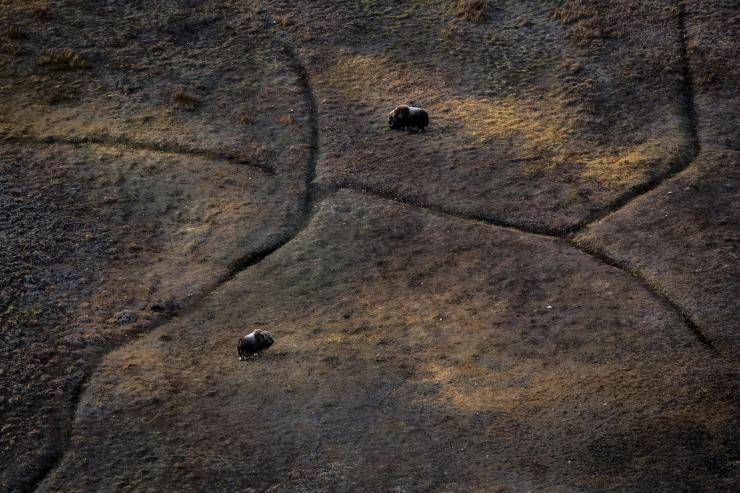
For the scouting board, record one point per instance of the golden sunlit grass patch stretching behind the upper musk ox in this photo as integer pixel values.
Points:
(535, 131)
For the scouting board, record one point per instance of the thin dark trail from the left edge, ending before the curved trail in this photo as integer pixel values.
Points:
(122, 142)
